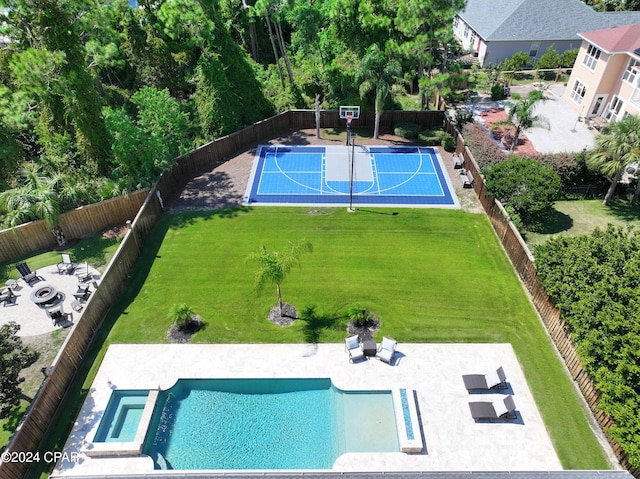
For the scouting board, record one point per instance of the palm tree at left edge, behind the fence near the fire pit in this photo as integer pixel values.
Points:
(39, 197)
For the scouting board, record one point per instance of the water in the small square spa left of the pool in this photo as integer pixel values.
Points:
(122, 416)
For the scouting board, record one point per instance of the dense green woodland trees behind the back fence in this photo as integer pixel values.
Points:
(104, 96)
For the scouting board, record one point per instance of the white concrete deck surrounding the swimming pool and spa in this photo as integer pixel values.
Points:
(453, 440)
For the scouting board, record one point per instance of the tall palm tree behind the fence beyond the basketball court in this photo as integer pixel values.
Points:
(378, 73)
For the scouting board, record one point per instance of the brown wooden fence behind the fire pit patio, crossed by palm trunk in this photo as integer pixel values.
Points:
(79, 223)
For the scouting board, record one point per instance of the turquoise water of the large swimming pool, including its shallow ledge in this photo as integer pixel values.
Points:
(266, 424)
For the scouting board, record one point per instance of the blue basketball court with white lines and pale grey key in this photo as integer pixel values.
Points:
(340, 175)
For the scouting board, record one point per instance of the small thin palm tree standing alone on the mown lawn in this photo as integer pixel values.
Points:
(274, 266)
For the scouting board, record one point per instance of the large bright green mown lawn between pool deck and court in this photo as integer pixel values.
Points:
(429, 275)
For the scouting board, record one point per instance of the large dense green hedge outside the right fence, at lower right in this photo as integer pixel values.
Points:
(595, 282)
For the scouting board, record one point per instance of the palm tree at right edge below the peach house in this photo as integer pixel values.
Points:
(617, 147)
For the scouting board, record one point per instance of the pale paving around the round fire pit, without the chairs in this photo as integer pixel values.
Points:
(33, 319)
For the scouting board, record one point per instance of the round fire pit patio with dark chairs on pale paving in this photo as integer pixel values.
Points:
(49, 298)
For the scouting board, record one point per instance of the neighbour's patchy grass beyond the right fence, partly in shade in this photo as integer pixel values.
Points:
(573, 218)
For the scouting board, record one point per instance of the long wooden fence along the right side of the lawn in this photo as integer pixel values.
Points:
(523, 262)
